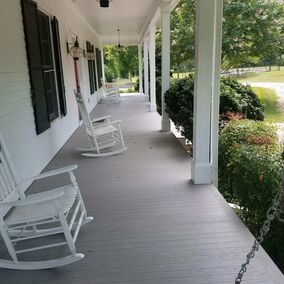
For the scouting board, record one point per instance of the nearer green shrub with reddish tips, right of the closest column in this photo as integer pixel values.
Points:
(245, 145)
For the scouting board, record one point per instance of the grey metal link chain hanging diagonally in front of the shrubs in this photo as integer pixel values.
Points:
(273, 212)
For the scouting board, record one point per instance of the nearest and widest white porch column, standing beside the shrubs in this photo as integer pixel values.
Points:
(207, 91)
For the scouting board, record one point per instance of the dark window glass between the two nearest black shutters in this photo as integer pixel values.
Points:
(48, 65)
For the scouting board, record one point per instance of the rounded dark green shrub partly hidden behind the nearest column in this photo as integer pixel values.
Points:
(234, 98)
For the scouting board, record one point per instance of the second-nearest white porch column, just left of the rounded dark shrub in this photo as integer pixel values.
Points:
(165, 18)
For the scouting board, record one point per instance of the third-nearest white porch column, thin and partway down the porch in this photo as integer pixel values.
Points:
(152, 53)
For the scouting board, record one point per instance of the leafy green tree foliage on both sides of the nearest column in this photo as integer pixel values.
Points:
(253, 32)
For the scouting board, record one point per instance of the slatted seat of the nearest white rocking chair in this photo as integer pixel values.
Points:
(44, 210)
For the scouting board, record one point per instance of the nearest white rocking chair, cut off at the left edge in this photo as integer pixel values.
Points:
(28, 223)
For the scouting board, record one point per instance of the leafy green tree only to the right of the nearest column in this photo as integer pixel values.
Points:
(251, 29)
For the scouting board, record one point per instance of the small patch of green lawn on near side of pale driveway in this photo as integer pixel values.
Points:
(269, 98)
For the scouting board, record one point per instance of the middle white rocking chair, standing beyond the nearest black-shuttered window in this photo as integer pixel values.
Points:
(105, 138)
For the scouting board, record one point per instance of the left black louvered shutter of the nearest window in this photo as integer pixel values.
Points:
(30, 21)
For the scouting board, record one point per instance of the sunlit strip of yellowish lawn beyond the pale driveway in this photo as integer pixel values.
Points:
(269, 77)
